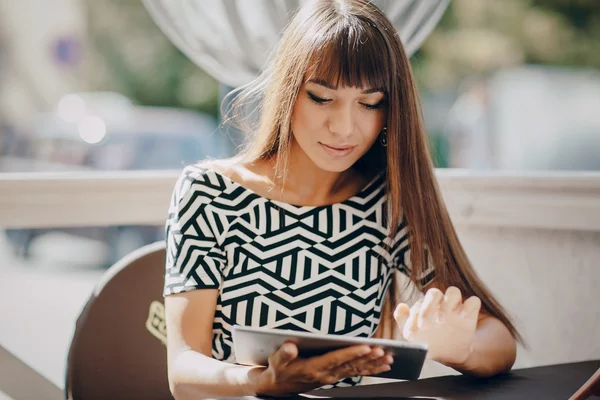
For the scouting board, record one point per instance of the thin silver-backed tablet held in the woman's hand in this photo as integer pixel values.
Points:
(253, 346)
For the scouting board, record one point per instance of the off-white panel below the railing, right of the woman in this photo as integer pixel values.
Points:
(549, 280)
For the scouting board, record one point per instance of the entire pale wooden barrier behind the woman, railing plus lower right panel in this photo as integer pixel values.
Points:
(530, 236)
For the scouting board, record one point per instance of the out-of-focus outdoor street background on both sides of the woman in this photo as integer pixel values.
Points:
(94, 85)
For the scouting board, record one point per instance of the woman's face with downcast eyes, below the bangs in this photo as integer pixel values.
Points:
(335, 127)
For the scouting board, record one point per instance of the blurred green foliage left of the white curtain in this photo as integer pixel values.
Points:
(130, 55)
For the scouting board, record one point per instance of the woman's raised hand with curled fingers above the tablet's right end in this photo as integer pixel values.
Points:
(442, 321)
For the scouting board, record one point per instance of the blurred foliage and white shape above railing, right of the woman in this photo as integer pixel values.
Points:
(514, 85)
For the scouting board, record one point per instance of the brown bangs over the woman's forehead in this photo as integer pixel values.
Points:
(352, 54)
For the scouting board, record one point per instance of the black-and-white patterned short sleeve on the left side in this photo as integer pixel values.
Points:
(194, 258)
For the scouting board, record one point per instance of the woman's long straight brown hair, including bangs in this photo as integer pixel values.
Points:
(352, 43)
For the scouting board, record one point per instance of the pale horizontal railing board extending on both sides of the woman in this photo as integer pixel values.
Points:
(533, 200)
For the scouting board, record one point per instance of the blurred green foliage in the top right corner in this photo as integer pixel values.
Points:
(477, 37)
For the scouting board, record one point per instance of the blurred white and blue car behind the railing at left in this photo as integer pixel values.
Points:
(105, 132)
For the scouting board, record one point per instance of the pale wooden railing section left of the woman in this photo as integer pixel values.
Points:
(32, 200)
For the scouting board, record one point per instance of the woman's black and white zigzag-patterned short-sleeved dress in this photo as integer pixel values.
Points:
(318, 269)
